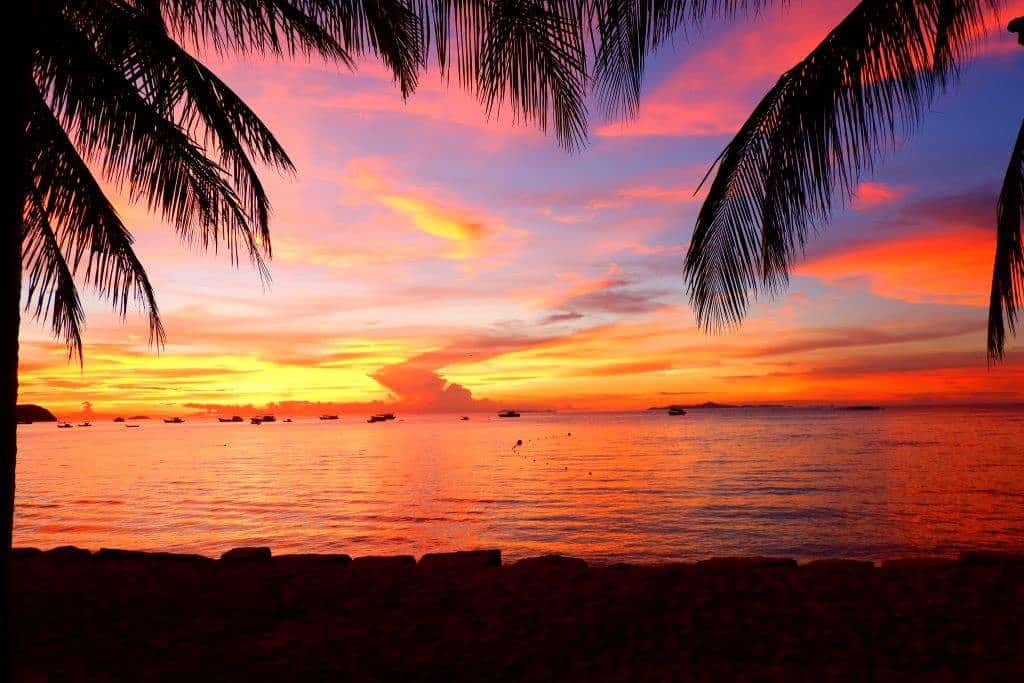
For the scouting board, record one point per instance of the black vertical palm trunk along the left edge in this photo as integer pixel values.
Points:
(22, 84)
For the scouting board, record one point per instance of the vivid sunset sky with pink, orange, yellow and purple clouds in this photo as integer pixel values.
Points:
(432, 260)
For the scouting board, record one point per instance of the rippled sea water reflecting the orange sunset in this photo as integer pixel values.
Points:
(638, 487)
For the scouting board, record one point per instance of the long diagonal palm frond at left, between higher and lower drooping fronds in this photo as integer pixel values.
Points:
(139, 149)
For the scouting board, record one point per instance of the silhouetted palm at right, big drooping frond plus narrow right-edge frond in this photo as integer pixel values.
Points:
(827, 122)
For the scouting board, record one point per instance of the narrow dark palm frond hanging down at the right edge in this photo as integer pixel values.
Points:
(1008, 275)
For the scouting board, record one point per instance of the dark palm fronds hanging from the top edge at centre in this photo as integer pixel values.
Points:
(576, 46)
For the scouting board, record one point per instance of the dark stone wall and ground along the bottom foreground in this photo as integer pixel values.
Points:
(123, 616)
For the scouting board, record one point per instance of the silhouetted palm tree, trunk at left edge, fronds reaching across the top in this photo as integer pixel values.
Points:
(107, 90)
